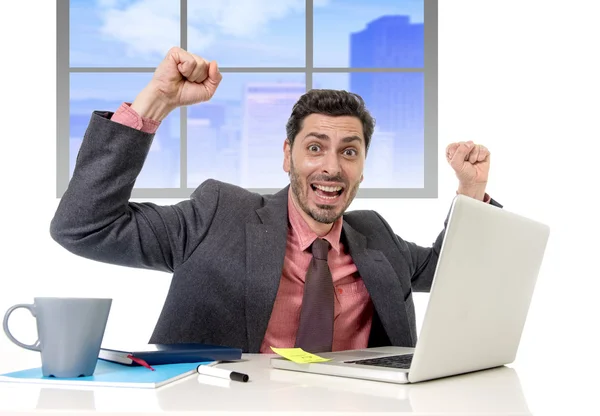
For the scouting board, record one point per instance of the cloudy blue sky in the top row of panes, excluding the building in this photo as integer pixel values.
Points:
(249, 33)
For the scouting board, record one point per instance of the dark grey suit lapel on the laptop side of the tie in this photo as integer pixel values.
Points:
(383, 286)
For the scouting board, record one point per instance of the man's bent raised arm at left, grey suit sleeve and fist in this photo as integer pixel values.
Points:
(95, 219)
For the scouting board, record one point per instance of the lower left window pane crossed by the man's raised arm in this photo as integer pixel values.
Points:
(90, 92)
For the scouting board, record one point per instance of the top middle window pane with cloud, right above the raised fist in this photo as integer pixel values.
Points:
(252, 33)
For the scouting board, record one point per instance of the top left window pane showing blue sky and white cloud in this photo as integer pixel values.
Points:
(122, 33)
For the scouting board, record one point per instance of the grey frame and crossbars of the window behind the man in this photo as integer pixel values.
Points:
(430, 123)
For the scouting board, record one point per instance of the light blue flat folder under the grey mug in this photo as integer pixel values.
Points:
(111, 375)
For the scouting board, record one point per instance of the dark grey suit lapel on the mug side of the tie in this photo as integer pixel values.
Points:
(265, 253)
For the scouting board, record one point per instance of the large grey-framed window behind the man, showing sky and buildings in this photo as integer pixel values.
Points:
(270, 52)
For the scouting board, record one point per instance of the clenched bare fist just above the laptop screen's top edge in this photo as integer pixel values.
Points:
(471, 163)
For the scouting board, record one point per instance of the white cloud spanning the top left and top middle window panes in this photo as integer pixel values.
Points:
(148, 28)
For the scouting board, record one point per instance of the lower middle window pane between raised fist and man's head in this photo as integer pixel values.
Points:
(238, 136)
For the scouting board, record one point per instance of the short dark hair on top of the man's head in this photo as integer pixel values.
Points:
(331, 103)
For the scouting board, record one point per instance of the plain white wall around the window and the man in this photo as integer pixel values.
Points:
(519, 76)
